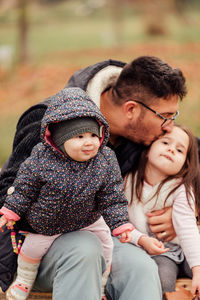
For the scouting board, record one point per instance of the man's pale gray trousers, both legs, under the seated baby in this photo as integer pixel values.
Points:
(73, 267)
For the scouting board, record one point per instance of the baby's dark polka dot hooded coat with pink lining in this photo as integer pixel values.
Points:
(57, 194)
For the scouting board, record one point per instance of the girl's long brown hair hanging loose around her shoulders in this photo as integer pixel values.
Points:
(189, 175)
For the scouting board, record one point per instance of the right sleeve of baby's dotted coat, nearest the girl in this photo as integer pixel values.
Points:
(111, 199)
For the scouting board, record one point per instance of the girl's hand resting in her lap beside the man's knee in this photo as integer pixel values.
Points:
(152, 245)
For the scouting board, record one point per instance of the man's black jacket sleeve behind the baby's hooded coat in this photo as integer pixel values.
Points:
(26, 137)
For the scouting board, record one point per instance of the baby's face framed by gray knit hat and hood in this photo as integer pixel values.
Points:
(82, 147)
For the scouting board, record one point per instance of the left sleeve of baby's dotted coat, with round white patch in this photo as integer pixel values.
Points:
(27, 184)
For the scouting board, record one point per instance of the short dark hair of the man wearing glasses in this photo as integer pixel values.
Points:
(146, 78)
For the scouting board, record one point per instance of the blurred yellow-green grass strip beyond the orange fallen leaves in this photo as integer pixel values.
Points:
(61, 28)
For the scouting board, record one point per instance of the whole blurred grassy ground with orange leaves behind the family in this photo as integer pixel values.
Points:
(62, 40)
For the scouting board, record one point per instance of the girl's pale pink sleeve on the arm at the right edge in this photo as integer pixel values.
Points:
(185, 225)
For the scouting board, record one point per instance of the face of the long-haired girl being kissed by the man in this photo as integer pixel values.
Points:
(167, 155)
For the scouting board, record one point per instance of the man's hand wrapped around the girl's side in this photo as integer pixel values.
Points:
(160, 222)
